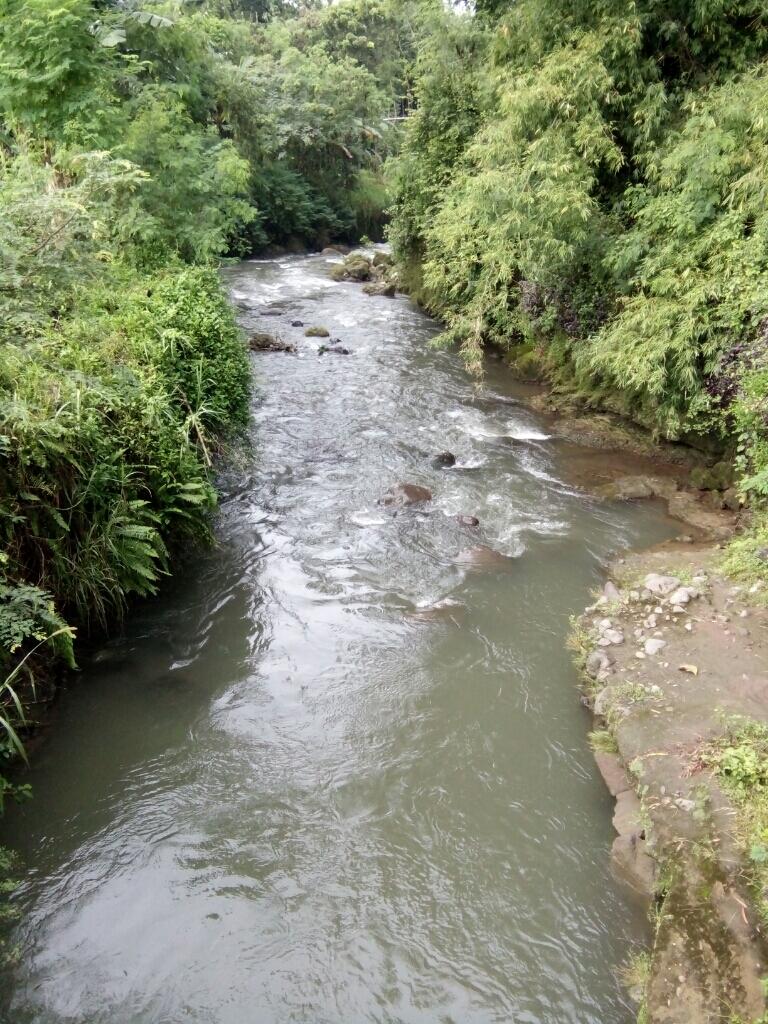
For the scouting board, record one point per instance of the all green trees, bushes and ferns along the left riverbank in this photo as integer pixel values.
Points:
(139, 145)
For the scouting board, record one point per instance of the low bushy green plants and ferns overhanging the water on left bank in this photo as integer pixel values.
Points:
(108, 423)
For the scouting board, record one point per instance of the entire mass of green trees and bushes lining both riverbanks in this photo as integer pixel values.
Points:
(582, 183)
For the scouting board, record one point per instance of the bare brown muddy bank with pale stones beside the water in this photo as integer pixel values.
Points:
(672, 654)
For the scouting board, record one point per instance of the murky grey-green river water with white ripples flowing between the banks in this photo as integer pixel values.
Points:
(339, 772)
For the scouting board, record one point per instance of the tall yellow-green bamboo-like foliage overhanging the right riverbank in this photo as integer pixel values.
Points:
(585, 184)
